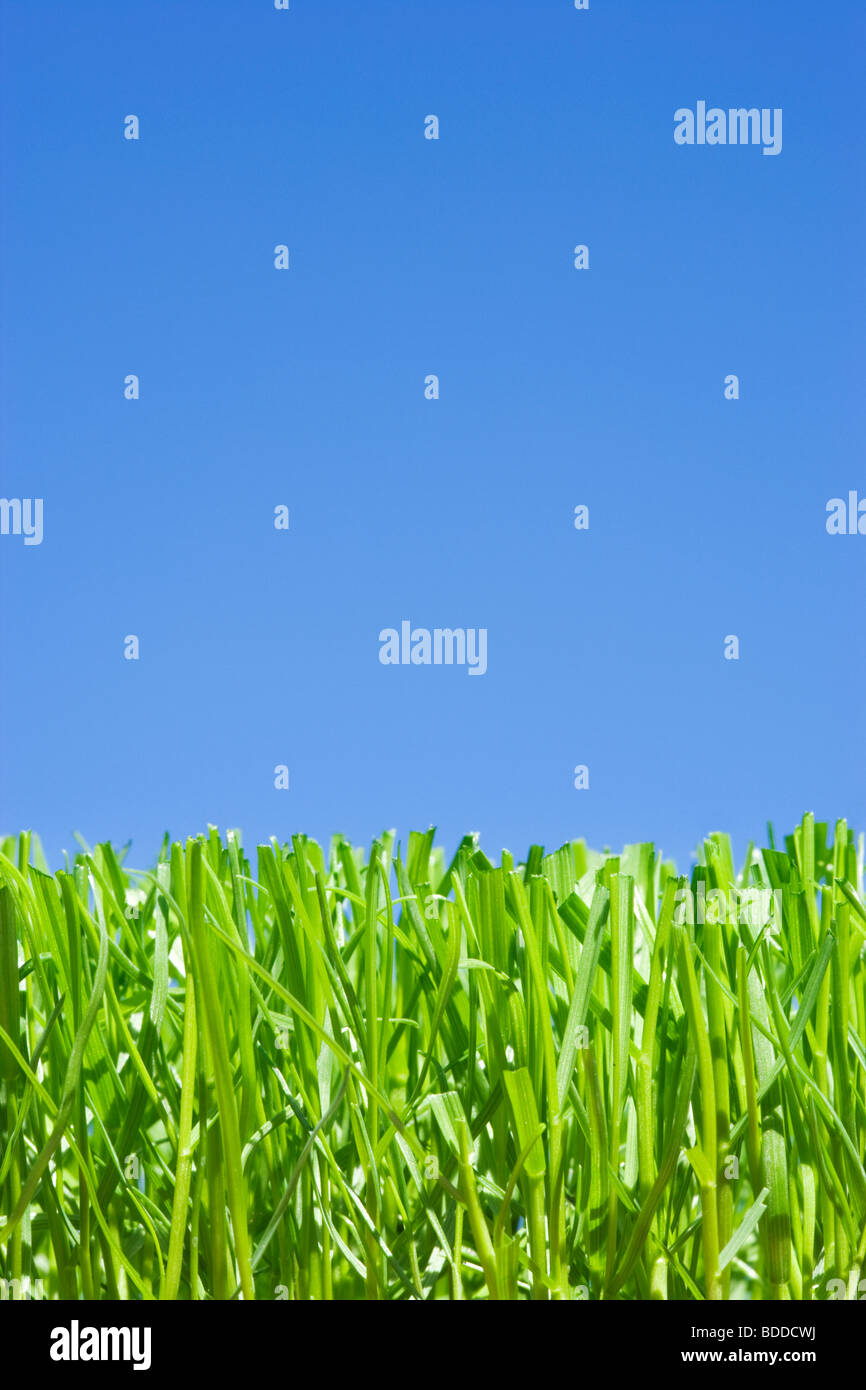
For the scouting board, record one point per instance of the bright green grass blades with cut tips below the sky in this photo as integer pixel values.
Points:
(386, 1077)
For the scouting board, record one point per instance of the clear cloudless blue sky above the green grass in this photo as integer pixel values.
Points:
(308, 389)
